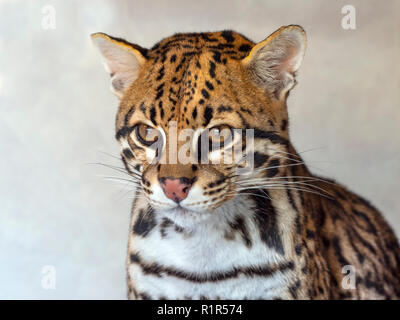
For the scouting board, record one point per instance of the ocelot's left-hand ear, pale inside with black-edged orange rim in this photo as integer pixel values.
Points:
(122, 60)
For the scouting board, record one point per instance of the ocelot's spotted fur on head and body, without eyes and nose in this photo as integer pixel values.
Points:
(278, 233)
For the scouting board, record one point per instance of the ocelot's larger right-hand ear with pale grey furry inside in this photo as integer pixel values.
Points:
(274, 61)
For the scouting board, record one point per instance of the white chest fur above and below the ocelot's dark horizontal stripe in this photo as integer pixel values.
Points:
(202, 249)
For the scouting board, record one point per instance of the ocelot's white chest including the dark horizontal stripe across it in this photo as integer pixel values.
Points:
(208, 261)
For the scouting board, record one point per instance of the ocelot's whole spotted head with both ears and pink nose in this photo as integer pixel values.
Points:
(202, 116)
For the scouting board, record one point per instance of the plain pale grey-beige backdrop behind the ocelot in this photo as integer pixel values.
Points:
(57, 119)
